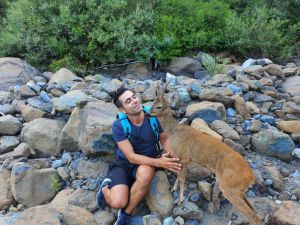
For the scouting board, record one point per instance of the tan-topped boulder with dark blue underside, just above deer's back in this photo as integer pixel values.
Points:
(208, 111)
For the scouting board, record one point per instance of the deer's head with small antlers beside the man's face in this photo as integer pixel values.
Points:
(160, 104)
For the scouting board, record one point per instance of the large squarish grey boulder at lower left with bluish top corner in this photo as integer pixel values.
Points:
(23, 176)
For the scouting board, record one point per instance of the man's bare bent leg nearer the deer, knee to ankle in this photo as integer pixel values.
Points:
(140, 187)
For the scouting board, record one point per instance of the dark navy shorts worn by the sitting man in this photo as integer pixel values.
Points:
(122, 172)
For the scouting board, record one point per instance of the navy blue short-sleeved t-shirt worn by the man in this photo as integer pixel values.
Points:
(143, 139)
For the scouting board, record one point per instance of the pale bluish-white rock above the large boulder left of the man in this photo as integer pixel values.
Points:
(66, 103)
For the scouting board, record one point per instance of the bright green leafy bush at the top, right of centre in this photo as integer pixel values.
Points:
(189, 25)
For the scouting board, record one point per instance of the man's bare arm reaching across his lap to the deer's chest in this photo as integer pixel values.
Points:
(164, 161)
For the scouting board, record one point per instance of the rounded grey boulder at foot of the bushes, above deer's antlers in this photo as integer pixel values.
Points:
(184, 66)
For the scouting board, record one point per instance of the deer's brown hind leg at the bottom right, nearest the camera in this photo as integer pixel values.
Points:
(239, 201)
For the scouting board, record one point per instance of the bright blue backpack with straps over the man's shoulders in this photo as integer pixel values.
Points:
(127, 127)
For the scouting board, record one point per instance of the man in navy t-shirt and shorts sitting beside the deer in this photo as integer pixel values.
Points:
(133, 169)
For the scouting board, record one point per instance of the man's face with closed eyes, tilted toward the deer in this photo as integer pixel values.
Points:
(131, 104)
